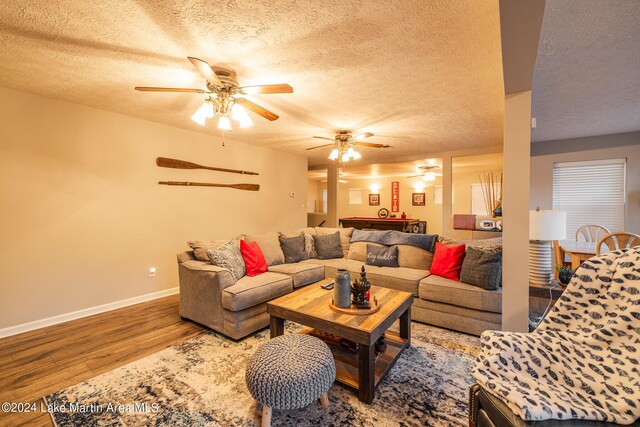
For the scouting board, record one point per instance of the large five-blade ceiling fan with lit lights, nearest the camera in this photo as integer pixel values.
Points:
(225, 96)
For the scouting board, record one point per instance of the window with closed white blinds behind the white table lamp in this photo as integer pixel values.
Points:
(591, 192)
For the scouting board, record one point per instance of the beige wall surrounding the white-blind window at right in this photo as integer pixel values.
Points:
(617, 146)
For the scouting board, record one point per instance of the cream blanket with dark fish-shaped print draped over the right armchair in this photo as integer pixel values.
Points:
(583, 361)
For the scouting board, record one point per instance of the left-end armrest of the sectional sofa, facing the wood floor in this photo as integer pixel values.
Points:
(201, 286)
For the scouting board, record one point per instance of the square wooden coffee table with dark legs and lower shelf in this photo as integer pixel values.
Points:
(363, 370)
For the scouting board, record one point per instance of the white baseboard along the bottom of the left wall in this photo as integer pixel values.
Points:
(37, 324)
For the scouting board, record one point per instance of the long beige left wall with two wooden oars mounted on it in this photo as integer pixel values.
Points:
(83, 218)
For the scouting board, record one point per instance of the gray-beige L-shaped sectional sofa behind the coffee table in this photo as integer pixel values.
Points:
(210, 296)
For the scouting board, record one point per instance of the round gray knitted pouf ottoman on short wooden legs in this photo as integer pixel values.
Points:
(290, 372)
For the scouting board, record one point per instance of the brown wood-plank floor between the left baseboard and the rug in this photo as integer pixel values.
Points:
(46, 360)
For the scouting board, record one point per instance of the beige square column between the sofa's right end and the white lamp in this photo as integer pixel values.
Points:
(515, 254)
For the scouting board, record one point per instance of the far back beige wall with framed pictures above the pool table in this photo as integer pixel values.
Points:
(431, 212)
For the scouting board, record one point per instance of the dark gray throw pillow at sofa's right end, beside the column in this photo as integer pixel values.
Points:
(482, 267)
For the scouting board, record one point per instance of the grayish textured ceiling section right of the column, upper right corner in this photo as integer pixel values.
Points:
(587, 76)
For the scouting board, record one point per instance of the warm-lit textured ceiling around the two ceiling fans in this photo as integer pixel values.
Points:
(424, 76)
